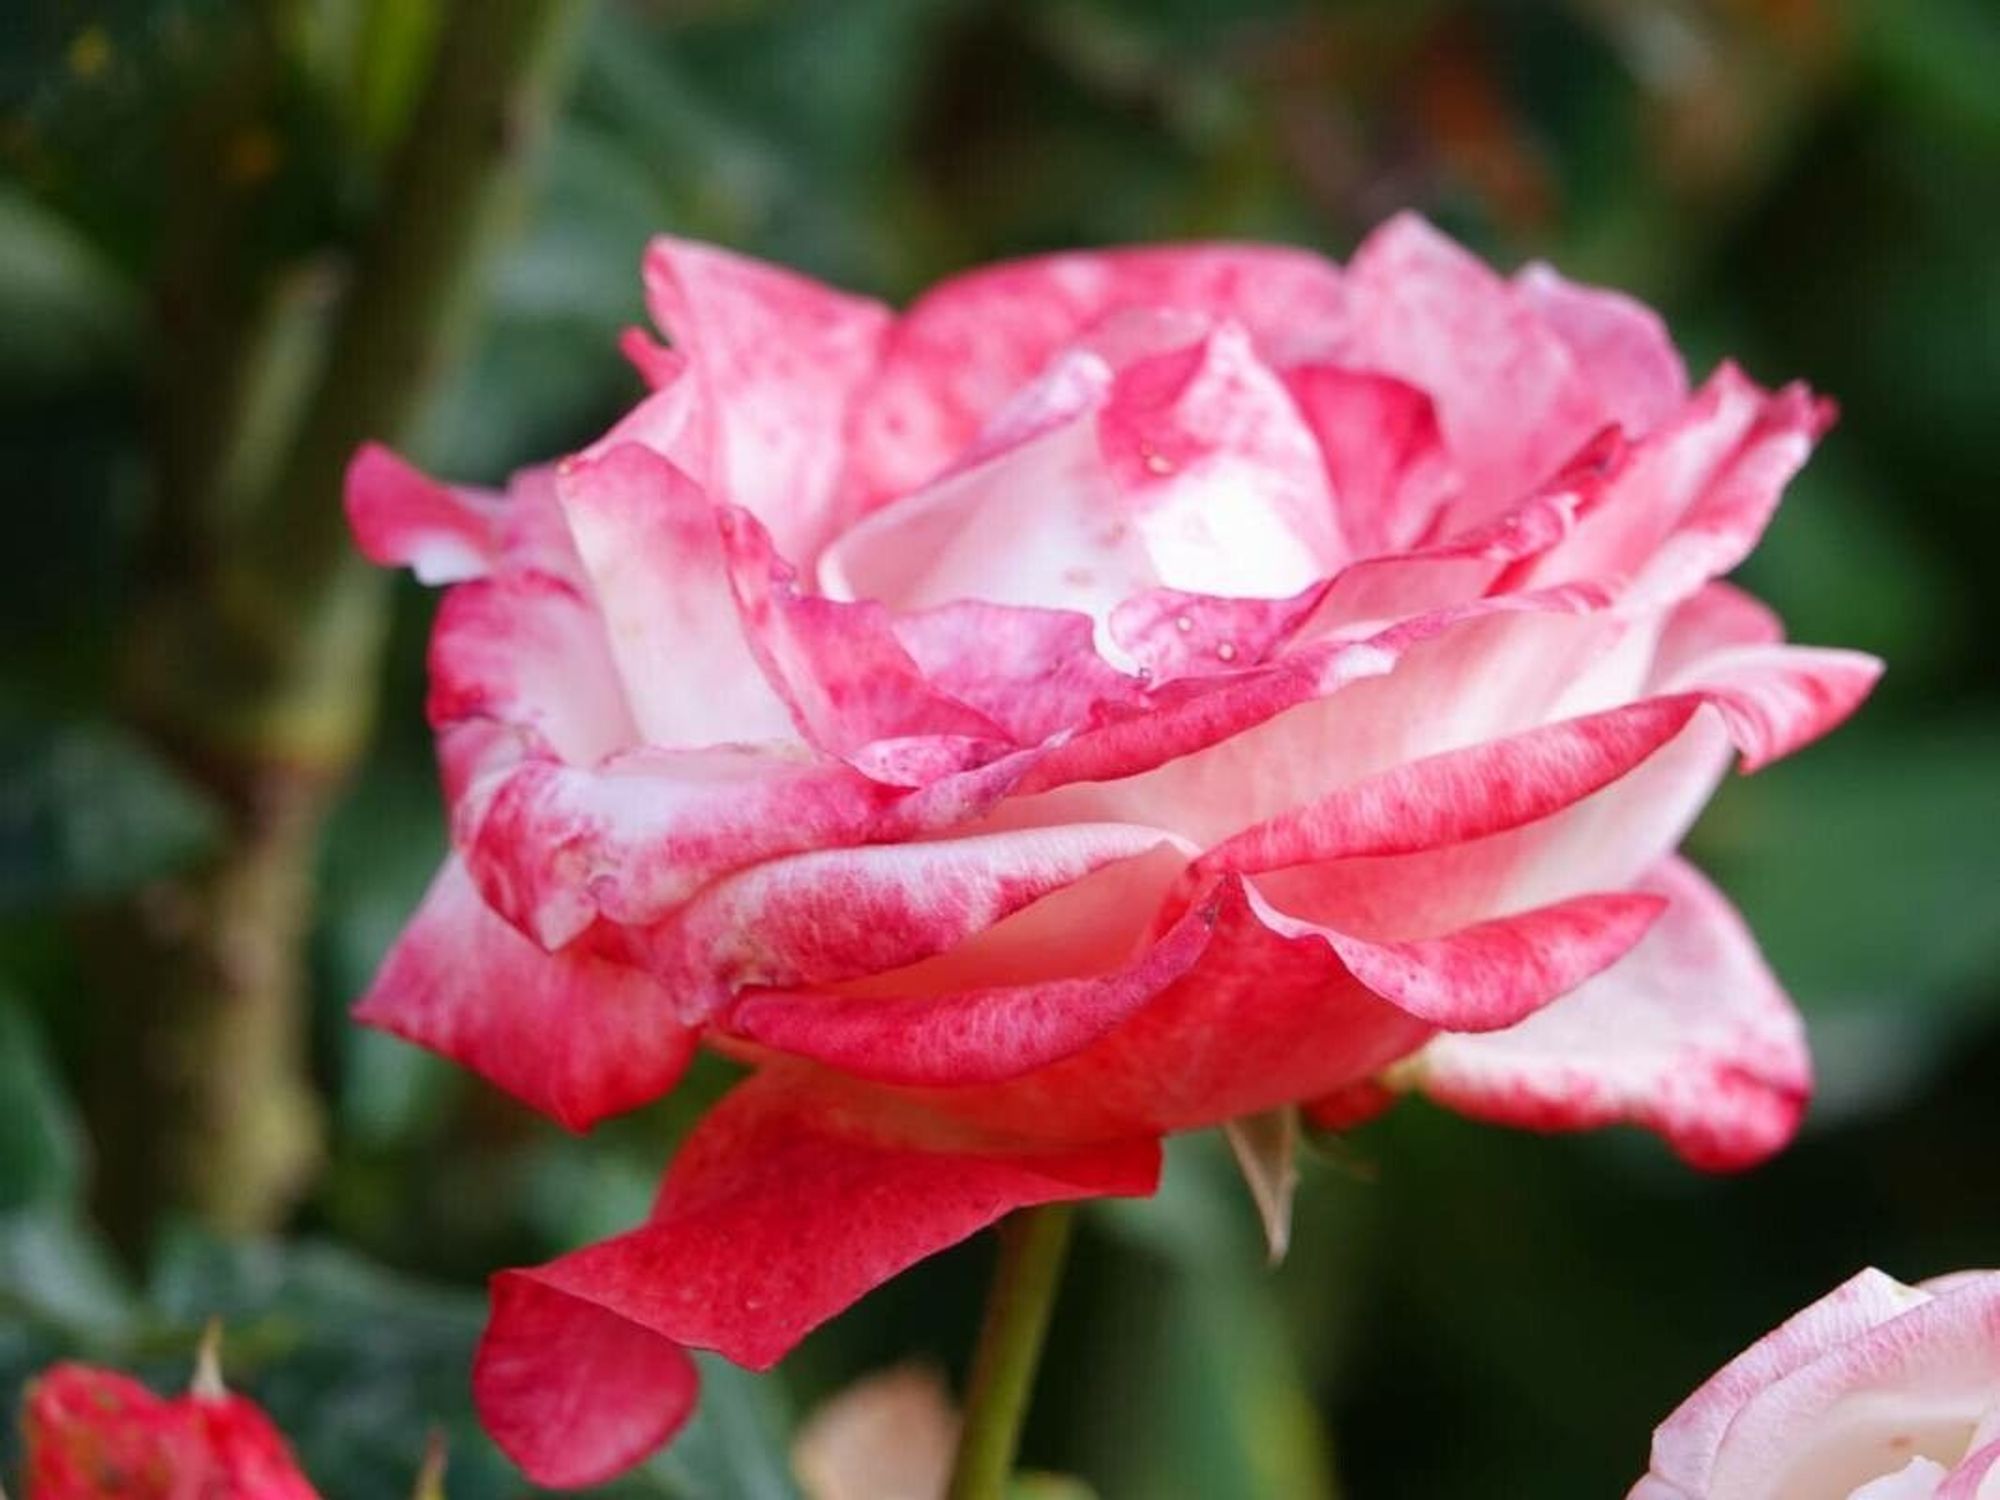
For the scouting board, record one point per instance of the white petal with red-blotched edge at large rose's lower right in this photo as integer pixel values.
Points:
(1689, 1037)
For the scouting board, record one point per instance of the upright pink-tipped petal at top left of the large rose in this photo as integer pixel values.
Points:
(779, 361)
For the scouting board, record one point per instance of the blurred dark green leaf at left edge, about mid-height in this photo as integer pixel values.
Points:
(89, 811)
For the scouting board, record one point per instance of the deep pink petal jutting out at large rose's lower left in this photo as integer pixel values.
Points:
(565, 1033)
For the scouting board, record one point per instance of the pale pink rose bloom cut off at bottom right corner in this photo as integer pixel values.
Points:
(1879, 1391)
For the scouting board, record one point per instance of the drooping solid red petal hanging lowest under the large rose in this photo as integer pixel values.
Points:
(779, 1213)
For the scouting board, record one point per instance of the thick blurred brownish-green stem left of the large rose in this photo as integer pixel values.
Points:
(251, 663)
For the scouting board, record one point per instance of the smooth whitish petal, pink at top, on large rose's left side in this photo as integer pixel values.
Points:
(653, 547)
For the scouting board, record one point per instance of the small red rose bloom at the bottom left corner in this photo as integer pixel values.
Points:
(97, 1433)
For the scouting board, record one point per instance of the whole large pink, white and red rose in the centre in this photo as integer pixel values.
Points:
(1125, 693)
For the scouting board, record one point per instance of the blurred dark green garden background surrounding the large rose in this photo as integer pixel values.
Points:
(235, 239)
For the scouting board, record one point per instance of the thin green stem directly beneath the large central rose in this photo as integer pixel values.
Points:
(1033, 1249)
